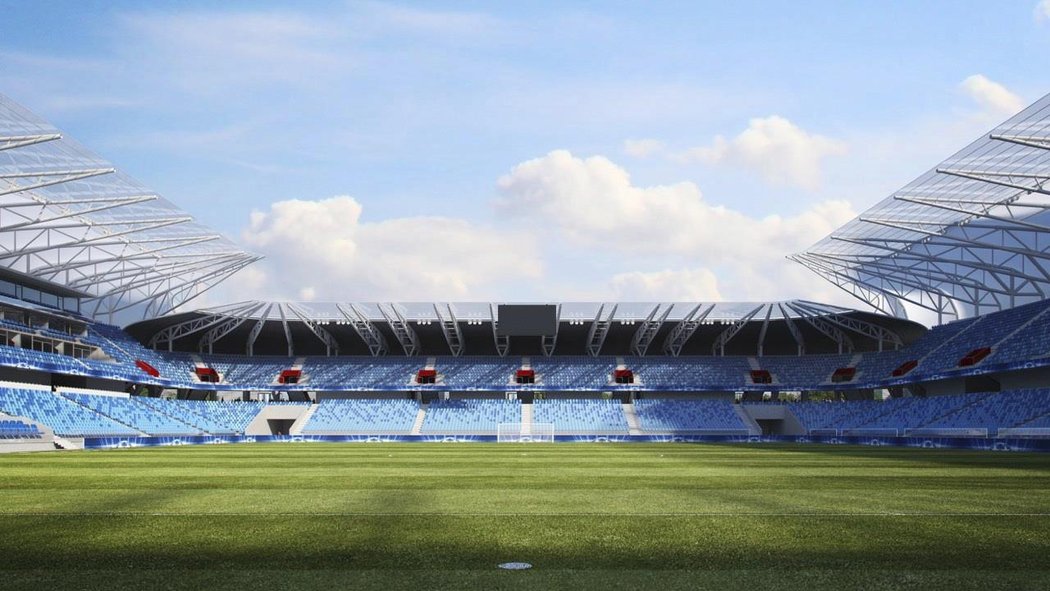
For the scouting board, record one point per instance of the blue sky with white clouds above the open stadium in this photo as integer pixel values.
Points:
(531, 152)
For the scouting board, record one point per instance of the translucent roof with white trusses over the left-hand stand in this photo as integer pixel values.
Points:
(70, 218)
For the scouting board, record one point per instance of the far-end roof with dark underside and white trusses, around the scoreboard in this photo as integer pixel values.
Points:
(780, 328)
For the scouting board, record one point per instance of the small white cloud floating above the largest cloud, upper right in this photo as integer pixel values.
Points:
(783, 153)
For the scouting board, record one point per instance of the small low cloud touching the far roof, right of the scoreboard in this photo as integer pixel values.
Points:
(685, 285)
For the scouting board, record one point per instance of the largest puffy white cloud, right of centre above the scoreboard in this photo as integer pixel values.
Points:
(592, 204)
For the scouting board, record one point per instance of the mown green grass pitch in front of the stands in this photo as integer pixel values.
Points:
(367, 517)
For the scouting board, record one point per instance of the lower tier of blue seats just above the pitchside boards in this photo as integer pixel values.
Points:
(94, 415)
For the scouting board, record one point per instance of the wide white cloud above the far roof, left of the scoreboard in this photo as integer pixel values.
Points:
(323, 250)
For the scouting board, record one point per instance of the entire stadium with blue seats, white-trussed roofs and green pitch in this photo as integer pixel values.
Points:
(900, 444)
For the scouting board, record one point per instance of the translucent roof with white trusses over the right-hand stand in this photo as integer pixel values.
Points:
(971, 237)
